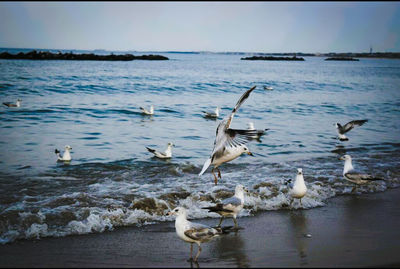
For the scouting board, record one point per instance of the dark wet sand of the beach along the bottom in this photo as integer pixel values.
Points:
(350, 231)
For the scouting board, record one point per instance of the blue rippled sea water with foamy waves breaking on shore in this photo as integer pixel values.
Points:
(113, 180)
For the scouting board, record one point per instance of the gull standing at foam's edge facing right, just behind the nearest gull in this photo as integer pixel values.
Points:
(231, 206)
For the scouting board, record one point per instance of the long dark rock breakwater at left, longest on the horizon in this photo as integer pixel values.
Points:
(46, 55)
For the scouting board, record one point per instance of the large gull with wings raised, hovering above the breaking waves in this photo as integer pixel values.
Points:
(229, 143)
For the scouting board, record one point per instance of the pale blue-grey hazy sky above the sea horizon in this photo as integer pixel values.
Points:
(268, 27)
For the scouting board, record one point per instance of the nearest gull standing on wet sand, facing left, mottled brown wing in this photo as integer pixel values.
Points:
(192, 232)
